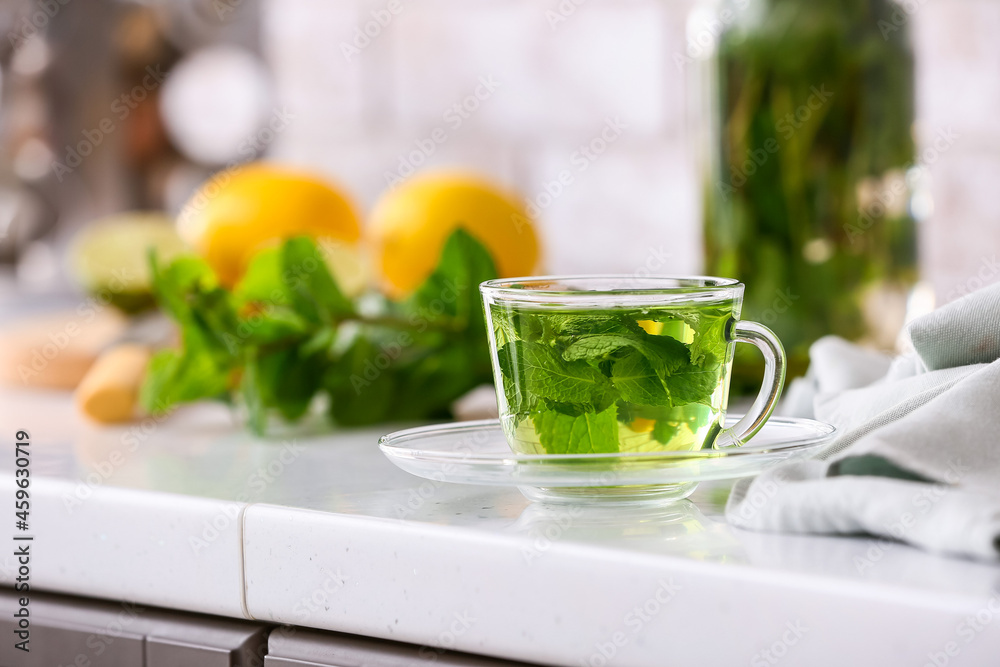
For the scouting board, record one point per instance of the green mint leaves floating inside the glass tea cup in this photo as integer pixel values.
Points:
(577, 376)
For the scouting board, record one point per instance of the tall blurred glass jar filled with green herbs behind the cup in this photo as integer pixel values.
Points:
(809, 176)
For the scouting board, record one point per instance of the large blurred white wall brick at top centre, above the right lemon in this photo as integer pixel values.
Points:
(553, 80)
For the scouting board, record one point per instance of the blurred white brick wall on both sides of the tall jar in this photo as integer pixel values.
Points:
(560, 77)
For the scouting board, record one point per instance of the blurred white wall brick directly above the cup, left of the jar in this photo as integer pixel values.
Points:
(630, 204)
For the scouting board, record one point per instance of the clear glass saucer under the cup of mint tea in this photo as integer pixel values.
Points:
(477, 453)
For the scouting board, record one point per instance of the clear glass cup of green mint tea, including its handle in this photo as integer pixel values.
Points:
(607, 364)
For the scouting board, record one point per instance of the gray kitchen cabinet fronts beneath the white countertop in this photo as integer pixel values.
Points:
(67, 631)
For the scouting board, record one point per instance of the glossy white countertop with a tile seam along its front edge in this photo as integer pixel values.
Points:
(322, 531)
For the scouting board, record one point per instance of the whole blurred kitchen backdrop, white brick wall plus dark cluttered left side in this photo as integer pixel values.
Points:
(115, 105)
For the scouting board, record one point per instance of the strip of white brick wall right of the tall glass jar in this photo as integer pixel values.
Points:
(959, 89)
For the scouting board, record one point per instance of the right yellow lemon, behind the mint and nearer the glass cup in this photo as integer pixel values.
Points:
(410, 225)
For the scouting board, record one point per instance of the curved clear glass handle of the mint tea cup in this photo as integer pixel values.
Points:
(770, 391)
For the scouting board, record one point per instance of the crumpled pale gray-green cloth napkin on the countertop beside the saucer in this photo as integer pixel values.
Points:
(917, 451)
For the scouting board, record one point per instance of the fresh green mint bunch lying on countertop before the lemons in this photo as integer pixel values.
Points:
(287, 333)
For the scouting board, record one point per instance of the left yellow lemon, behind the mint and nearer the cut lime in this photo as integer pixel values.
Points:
(239, 212)
